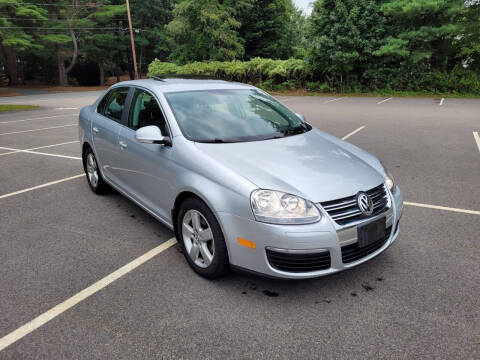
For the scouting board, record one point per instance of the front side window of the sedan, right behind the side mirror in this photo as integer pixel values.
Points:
(145, 111)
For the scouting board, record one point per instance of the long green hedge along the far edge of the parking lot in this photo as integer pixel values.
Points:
(297, 74)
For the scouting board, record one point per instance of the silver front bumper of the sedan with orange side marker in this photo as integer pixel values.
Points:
(313, 239)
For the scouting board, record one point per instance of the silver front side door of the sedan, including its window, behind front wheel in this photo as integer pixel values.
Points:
(146, 168)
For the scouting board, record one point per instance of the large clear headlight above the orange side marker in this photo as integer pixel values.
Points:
(276, 207)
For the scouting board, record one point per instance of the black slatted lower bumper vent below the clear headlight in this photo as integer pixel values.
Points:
(294, 262)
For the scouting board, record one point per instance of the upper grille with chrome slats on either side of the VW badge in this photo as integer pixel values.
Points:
(346, 210)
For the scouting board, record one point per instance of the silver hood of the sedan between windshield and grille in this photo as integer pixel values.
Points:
(312, 165)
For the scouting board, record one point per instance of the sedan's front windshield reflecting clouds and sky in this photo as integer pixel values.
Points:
(219, 116)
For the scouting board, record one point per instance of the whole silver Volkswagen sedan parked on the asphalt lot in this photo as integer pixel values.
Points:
(243, 181)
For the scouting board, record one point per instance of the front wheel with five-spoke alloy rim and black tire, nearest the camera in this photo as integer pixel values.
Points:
(202, 239)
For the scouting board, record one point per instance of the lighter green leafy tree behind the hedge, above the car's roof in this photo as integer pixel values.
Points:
(204, 30)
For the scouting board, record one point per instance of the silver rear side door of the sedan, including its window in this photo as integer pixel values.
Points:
(106, 127)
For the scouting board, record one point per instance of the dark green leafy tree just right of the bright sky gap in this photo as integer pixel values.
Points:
(344, 36)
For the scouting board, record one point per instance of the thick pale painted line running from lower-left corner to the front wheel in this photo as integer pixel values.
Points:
(82, 295)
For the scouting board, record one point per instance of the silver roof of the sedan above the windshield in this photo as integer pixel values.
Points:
(187, 84)
